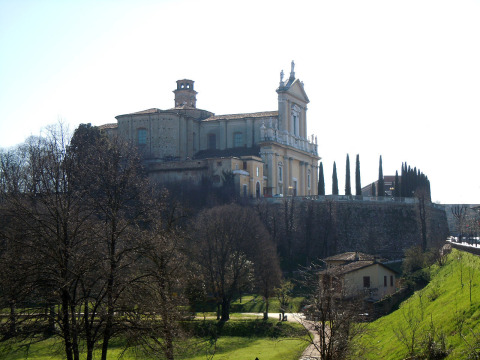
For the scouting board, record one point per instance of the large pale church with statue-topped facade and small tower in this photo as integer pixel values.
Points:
(269, 153)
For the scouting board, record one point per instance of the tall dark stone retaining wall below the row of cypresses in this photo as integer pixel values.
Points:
(325, 227)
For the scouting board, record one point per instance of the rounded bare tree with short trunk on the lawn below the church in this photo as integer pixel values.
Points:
(226, 243)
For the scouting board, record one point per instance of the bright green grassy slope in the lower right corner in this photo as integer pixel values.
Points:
(443, 315)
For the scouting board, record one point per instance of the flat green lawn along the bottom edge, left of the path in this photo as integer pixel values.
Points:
(237, 339)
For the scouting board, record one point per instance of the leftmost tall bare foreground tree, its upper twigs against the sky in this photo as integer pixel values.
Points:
(46, 211)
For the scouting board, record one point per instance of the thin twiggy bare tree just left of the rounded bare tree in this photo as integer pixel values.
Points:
(160, 294)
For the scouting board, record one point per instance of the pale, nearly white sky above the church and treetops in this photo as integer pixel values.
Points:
(397, 79)
